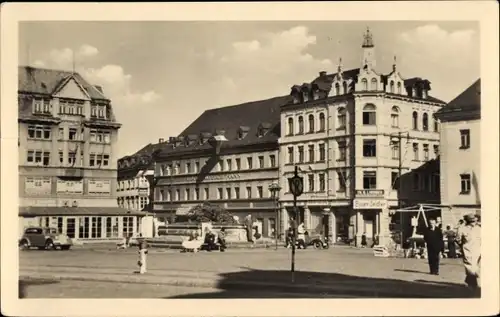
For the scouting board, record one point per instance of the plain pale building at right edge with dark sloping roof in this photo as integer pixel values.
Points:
(460, 156)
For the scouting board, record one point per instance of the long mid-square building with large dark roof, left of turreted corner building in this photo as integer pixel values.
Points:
(228, 156)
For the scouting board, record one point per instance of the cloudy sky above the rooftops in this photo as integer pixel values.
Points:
(160, 76)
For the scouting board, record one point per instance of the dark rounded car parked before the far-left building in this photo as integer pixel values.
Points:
(44, 239)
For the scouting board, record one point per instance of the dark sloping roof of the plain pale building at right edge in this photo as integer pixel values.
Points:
(465, 105)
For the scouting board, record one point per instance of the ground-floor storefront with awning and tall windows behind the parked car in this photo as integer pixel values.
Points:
(91, 224)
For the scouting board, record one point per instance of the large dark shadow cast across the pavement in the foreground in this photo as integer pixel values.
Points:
(249, 284)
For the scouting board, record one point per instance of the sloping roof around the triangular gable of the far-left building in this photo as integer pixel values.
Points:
(43, 81)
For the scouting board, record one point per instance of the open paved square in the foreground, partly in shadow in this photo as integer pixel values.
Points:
(338, 272)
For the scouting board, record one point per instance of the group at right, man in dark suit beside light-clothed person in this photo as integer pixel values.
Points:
(468, 238)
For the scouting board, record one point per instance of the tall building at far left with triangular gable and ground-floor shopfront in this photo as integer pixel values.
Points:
(67, 164)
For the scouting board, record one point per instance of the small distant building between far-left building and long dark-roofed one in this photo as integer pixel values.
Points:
(135, 185)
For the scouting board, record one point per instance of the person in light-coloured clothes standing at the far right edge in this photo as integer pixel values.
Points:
(470, 240)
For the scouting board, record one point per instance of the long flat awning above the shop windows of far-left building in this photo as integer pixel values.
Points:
(77, 211)
